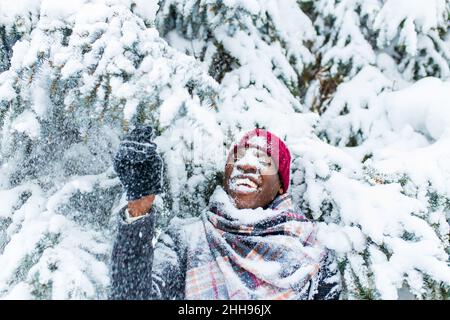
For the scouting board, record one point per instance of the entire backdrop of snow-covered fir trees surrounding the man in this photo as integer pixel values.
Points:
(359, 90)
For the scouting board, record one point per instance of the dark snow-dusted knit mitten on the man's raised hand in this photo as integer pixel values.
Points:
(138, 165)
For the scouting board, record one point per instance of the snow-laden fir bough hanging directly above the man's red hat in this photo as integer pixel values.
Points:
(257, 51)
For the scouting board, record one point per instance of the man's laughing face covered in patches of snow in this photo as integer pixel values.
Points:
(251, 178)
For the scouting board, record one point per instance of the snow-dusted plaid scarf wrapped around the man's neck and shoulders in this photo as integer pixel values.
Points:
(253, 253)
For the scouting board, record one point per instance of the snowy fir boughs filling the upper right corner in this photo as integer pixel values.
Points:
(406, 37)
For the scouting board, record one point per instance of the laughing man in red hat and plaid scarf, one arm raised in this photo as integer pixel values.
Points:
(248, 244)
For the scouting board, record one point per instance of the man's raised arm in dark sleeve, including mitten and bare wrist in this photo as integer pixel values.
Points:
(139, 168)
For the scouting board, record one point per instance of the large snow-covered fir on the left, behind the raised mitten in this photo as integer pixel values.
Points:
(76, 78)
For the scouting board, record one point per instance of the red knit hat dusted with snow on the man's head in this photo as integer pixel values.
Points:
(275, 147)
